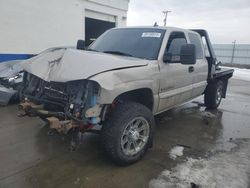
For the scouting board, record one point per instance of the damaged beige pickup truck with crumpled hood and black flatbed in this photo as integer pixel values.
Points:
(120, 82)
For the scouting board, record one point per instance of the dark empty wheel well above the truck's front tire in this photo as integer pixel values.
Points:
(143, 96)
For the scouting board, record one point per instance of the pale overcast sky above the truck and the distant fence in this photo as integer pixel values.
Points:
(225, 20)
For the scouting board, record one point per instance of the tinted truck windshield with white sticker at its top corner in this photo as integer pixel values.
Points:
(137, 42)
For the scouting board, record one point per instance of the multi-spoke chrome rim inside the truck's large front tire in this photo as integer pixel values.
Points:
(135, 136)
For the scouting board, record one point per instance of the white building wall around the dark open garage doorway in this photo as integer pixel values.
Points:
(30, 26)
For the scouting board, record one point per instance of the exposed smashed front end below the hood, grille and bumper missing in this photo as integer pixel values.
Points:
(63, 106)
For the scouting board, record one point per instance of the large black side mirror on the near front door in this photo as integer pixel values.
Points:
(188, 54)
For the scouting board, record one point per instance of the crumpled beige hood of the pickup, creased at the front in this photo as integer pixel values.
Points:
(62, 64)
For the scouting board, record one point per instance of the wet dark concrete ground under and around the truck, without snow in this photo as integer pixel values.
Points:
(30, 158)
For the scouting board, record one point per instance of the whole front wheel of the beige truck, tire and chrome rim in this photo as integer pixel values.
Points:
(127, 134)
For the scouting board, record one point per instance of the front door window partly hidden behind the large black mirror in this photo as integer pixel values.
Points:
(175, 41)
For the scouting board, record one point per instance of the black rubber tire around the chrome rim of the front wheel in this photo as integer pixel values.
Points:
(113, 128)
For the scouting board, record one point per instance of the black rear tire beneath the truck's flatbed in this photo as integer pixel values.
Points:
(211, 94)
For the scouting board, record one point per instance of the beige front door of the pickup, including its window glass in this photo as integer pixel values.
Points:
(176, 79)
